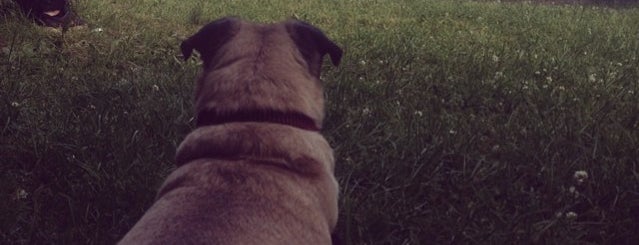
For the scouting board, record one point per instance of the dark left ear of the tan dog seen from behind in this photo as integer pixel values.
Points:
(209, 38)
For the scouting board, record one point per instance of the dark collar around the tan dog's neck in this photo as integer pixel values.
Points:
(293, 119)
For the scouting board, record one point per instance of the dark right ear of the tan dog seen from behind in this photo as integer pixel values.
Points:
(313, 44)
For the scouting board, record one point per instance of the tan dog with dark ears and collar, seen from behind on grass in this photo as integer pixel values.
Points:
(256, 170)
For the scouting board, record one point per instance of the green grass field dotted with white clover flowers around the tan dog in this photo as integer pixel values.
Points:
(452, 121)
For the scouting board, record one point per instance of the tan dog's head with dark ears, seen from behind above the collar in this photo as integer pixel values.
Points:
(263, 68)
